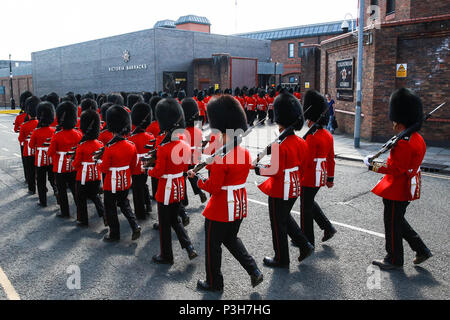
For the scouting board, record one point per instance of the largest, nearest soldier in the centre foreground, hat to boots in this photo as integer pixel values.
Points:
(227, 206)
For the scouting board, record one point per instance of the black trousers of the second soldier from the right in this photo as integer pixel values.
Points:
(309, 212)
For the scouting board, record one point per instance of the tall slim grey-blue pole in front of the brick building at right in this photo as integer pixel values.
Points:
(357, 129)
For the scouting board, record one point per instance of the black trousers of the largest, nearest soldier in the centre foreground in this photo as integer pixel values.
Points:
(216, 234)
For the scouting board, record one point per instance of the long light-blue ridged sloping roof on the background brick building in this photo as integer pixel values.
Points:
(304, 31)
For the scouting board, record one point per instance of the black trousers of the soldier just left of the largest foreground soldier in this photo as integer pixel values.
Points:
(168, 218)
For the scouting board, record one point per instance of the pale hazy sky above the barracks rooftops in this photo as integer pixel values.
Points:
(33, 25)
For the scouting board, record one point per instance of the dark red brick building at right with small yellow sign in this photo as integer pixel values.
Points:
(411, 34)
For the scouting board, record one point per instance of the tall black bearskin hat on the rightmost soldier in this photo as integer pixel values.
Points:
(405, 107)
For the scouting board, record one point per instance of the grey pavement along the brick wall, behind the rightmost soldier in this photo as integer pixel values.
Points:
(436, 159)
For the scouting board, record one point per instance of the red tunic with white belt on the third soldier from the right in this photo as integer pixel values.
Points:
(285, 169)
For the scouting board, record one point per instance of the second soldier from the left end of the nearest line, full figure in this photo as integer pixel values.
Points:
(40, 136)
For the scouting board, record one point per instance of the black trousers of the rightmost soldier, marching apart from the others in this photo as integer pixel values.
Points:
(396, 229)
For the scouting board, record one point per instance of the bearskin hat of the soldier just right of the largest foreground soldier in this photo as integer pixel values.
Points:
(286, 110)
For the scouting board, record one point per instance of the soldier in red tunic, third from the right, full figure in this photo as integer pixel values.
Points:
(283, 186)
